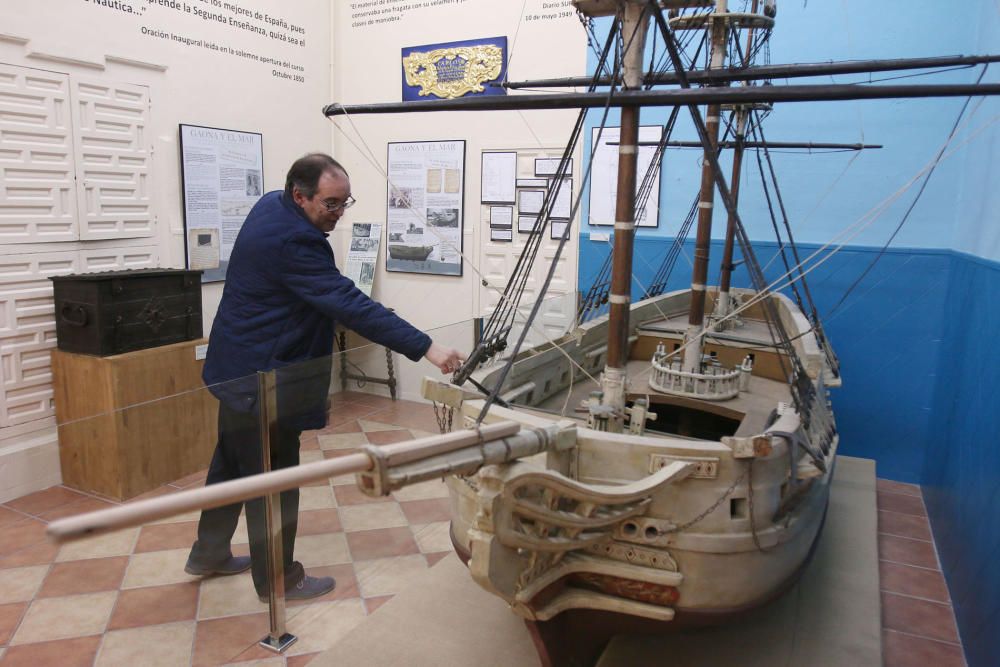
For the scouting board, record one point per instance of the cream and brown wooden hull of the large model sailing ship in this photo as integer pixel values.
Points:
(726, 532)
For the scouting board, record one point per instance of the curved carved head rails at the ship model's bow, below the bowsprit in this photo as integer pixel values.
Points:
(537, 531)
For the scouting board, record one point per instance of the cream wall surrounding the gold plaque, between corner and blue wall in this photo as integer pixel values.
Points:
(366, 63)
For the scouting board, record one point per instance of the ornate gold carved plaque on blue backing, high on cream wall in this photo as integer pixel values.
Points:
(453, 72)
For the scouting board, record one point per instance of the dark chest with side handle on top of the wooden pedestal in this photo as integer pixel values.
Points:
(121, 311)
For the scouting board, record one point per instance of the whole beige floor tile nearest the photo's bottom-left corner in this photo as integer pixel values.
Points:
(61, 618)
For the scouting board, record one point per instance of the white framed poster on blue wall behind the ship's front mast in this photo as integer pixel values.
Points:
(604, 176)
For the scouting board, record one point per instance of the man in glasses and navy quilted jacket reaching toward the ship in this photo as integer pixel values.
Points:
(283, 294)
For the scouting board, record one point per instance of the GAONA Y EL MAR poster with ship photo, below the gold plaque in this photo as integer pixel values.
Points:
(424, 214)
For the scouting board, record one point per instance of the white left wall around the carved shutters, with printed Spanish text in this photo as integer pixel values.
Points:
(93, 40)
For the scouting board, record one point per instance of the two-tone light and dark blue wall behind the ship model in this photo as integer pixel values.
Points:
(917, 338)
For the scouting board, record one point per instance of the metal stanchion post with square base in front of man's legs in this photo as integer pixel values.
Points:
(278, 639)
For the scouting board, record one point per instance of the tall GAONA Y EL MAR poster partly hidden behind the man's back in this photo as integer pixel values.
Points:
(222, 177)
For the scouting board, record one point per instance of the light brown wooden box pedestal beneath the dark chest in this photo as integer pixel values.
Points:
(130, 423)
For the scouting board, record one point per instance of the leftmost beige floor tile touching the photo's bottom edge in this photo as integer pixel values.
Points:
(151, 646)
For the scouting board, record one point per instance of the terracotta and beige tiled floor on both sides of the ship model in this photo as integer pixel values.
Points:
(124, 599)
